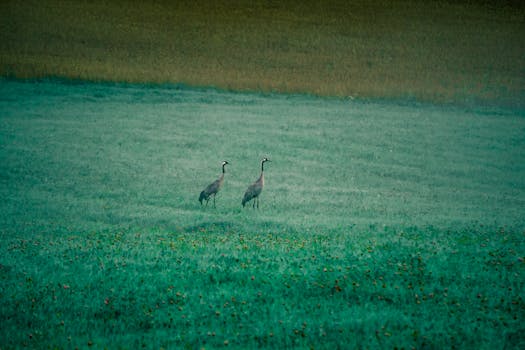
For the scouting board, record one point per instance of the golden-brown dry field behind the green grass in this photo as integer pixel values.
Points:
(441, 51)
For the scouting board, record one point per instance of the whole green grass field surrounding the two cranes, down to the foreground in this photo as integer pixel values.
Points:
(383, 224)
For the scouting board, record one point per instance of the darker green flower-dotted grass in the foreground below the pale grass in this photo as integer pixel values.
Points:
(415, 288)
